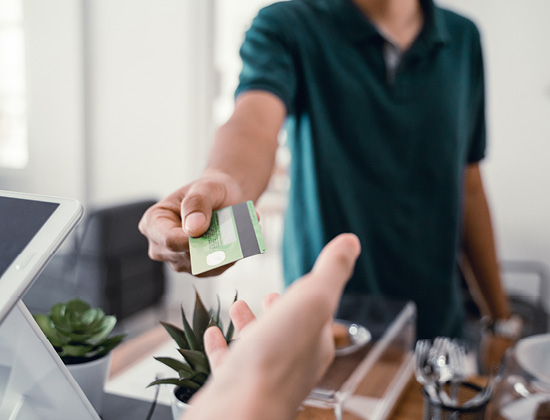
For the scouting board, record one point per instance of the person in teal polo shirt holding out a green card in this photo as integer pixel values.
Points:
(384, 109)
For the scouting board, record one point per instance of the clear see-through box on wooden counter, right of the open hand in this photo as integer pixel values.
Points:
(368, 381)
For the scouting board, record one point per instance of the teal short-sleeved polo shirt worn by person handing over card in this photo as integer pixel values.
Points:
(381, 157)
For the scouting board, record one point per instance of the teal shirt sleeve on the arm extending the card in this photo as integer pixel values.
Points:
(267, 60)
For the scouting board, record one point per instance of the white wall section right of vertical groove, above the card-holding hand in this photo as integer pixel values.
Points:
(148, 127)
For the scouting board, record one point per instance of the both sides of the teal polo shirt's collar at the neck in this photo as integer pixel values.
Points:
(360, 28)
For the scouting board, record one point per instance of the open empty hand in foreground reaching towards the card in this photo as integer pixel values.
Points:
(279, 358)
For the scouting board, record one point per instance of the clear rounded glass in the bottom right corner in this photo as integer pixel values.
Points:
(522, 390)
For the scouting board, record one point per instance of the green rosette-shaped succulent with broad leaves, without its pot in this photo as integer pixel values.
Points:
(79, 332)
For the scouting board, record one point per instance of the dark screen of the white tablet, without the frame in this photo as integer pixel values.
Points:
(21, 220)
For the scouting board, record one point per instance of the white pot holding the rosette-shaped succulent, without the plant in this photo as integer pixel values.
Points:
(91, 377)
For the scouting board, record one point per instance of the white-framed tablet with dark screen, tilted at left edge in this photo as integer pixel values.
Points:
(31, 229)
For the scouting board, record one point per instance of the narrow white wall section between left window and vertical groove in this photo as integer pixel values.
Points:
(55, 94)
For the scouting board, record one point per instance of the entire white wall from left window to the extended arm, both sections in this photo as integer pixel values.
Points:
(120, 97)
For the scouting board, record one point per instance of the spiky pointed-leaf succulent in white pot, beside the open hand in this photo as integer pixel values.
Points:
(193, 369)
